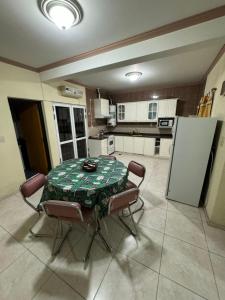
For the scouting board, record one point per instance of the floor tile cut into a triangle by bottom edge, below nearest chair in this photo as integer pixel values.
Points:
(56, 289)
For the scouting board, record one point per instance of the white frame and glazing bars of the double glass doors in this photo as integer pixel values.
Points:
(73, 129)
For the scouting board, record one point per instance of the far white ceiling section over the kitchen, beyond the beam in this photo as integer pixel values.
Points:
(186, 65)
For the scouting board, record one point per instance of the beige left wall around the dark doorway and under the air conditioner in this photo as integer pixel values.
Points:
(20, 83)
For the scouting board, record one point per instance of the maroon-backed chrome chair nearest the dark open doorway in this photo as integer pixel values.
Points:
(27, 189)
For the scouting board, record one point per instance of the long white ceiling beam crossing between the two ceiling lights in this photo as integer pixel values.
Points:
(148, 50)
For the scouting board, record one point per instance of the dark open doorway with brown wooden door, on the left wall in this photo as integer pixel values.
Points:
(30, 131)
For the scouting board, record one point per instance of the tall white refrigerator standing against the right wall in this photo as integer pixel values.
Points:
(192, 143)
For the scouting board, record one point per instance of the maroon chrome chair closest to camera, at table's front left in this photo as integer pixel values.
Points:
(71, 212)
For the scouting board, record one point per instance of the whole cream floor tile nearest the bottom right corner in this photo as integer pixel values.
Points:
(189, 266)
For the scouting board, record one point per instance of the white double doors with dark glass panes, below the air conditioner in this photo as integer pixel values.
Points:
(71, 131)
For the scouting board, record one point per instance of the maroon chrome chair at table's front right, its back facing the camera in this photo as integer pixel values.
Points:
(121, 201)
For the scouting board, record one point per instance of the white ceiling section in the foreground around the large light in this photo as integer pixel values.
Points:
(29, 38)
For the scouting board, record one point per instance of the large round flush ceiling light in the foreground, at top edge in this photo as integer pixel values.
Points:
(63, 13)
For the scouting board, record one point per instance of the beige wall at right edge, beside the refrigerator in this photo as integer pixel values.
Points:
(216, 194)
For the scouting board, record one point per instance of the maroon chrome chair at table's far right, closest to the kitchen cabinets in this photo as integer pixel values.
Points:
(138, 170)
